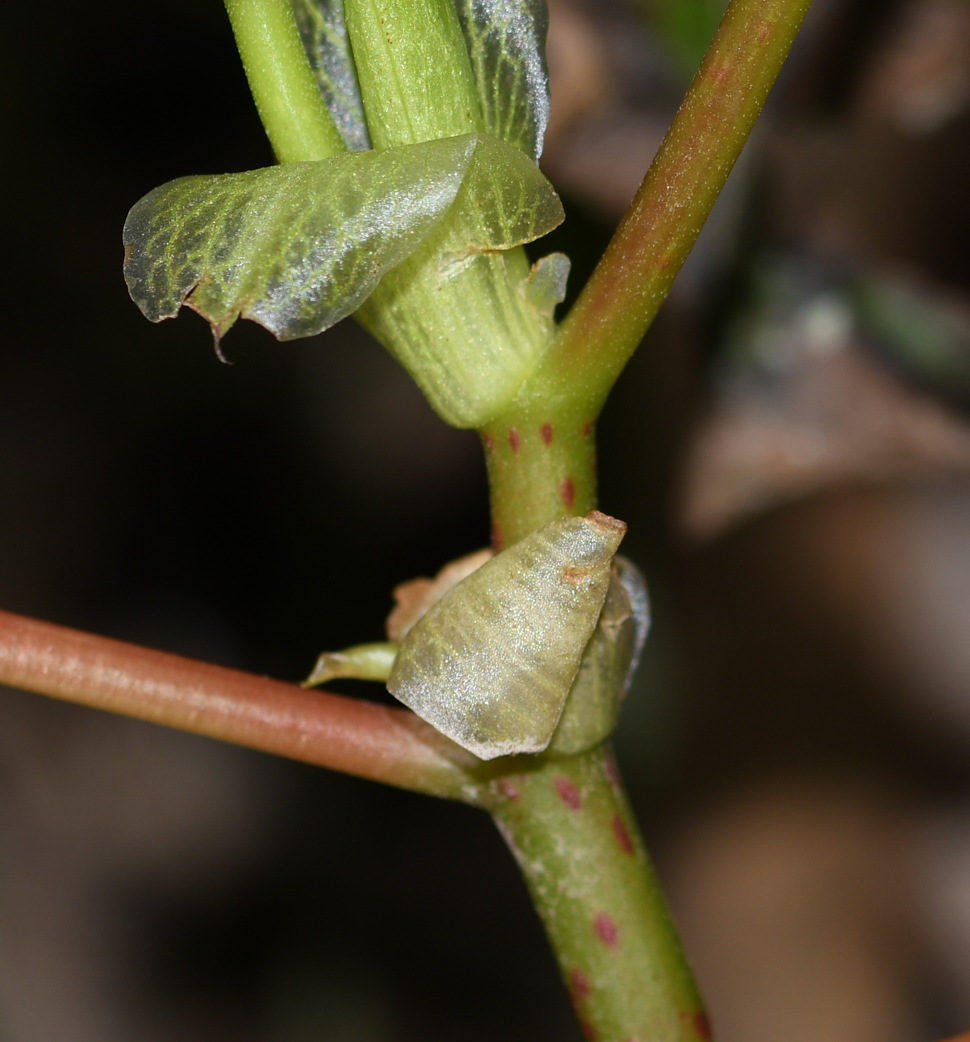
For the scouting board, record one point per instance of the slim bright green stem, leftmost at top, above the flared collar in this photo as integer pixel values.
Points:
(290, 104)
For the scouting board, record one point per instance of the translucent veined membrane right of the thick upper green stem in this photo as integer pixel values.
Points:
(507, 44)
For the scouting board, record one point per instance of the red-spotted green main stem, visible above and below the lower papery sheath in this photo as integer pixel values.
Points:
(567, 821)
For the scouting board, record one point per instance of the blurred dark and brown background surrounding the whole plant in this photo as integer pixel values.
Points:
(790, 448)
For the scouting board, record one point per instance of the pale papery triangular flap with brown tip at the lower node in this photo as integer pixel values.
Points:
(492, 663)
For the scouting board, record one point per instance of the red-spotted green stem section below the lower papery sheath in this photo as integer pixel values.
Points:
(571, 830)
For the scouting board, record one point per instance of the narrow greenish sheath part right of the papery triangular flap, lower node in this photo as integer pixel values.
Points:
(608, 666)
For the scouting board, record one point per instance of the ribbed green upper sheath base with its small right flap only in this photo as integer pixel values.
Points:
(453, 314)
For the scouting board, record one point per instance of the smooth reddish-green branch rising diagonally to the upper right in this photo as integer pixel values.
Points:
(653, 242)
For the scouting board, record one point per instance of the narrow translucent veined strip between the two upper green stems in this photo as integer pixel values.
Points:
(324, 31)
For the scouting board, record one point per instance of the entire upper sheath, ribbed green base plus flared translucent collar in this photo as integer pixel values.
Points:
(301, 246)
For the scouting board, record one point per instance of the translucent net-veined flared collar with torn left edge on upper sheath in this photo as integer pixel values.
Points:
(301, 246)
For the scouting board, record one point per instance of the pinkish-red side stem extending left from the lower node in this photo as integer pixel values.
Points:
(350, 735)
